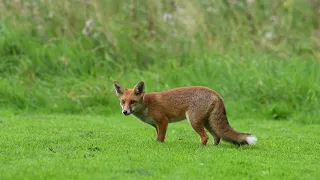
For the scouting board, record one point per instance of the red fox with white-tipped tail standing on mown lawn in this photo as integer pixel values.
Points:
(202, 107)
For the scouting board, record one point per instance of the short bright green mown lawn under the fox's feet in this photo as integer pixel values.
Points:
(118, 147)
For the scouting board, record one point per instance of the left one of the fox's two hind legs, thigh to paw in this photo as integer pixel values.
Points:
(197, 125)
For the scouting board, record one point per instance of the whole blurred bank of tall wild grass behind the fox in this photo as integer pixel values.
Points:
(61, 56)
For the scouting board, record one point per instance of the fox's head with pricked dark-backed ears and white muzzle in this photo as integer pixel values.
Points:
(130, 99)
